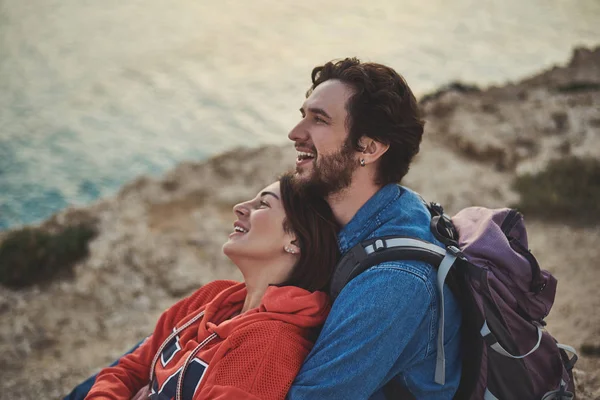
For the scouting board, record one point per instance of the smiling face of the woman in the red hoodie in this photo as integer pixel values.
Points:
(258, 232)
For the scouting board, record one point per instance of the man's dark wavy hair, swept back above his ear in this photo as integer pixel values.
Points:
(382, 107)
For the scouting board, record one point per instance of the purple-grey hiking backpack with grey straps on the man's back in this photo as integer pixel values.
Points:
(504, 297)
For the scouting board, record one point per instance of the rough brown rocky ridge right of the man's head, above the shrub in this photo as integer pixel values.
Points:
(554, 114)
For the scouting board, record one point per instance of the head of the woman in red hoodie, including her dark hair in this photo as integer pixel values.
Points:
(280, 217)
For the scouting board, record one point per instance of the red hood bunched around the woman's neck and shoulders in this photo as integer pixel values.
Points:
(288, 304)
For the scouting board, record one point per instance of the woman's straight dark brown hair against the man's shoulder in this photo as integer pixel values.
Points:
(315, 227)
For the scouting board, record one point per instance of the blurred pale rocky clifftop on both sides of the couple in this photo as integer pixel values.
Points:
(159, 239)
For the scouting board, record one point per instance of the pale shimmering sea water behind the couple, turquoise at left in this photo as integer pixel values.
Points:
(95, 93)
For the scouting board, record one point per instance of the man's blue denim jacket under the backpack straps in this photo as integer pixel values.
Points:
(384, 323)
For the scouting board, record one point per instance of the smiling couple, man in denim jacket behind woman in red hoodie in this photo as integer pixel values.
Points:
(277, 335)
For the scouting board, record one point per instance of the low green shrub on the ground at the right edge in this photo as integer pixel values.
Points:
(567, 190)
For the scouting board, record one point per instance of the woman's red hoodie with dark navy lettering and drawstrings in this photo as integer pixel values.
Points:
(255, 355)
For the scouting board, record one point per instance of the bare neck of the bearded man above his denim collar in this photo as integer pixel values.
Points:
(346, 203)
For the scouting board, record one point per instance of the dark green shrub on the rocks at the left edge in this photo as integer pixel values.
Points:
(32, 255)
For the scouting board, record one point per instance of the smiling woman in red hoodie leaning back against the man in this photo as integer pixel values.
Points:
(242, 340)
